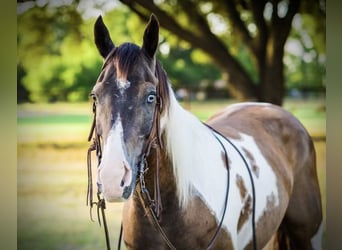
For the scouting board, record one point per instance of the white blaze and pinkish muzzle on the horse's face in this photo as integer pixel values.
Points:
(116, 177)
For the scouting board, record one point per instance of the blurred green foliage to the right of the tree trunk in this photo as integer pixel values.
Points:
(305, 67)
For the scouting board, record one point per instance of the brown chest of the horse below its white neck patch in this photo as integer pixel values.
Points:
(192, 228)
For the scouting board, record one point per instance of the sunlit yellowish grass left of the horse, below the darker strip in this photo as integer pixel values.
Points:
(52, 211)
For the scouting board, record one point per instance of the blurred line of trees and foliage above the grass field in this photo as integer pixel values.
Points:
(259, 49)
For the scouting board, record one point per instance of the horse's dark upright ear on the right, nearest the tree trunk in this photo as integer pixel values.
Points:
(151, 36)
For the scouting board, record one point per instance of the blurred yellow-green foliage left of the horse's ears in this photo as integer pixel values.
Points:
(57, 55)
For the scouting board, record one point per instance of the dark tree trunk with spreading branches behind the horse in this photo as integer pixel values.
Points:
(259, 27)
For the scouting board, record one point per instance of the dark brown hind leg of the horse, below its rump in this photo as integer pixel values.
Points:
(304, 213)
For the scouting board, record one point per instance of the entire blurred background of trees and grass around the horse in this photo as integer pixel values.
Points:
(214, 52)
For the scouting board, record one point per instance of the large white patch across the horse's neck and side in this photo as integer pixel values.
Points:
(199, 168)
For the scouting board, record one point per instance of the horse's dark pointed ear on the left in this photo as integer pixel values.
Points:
(103, 41)
